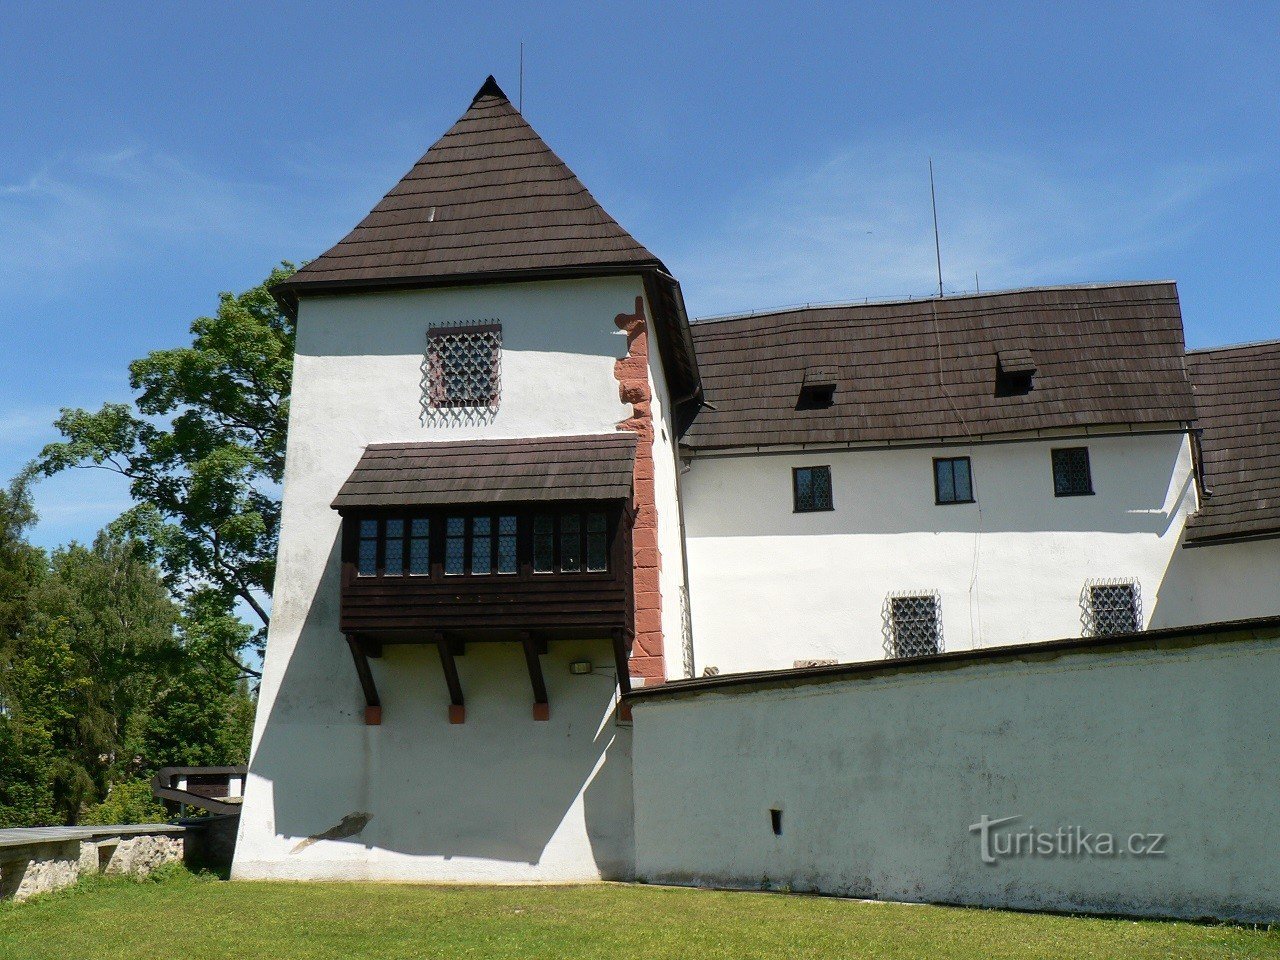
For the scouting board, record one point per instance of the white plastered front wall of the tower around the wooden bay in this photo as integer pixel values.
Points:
(500, 798)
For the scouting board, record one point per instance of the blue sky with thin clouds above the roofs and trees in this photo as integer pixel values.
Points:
(769, 154)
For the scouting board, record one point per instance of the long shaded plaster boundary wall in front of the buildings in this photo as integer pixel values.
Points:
(985, 778)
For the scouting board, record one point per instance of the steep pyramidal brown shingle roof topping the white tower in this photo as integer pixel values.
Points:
(490, 198)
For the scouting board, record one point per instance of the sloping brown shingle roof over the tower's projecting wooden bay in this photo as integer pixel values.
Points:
(596, 468)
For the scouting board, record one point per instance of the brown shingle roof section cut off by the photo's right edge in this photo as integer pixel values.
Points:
(1238, 399)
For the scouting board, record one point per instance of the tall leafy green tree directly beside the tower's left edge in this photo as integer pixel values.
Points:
(203, 447)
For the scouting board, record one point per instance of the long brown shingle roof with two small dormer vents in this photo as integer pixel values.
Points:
(926, 371)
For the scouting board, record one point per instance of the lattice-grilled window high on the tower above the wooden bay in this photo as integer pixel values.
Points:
(463, 374)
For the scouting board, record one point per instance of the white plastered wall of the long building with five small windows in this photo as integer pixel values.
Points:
(771, 587)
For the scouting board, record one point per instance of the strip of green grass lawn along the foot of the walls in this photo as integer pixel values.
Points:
(194, 918)
